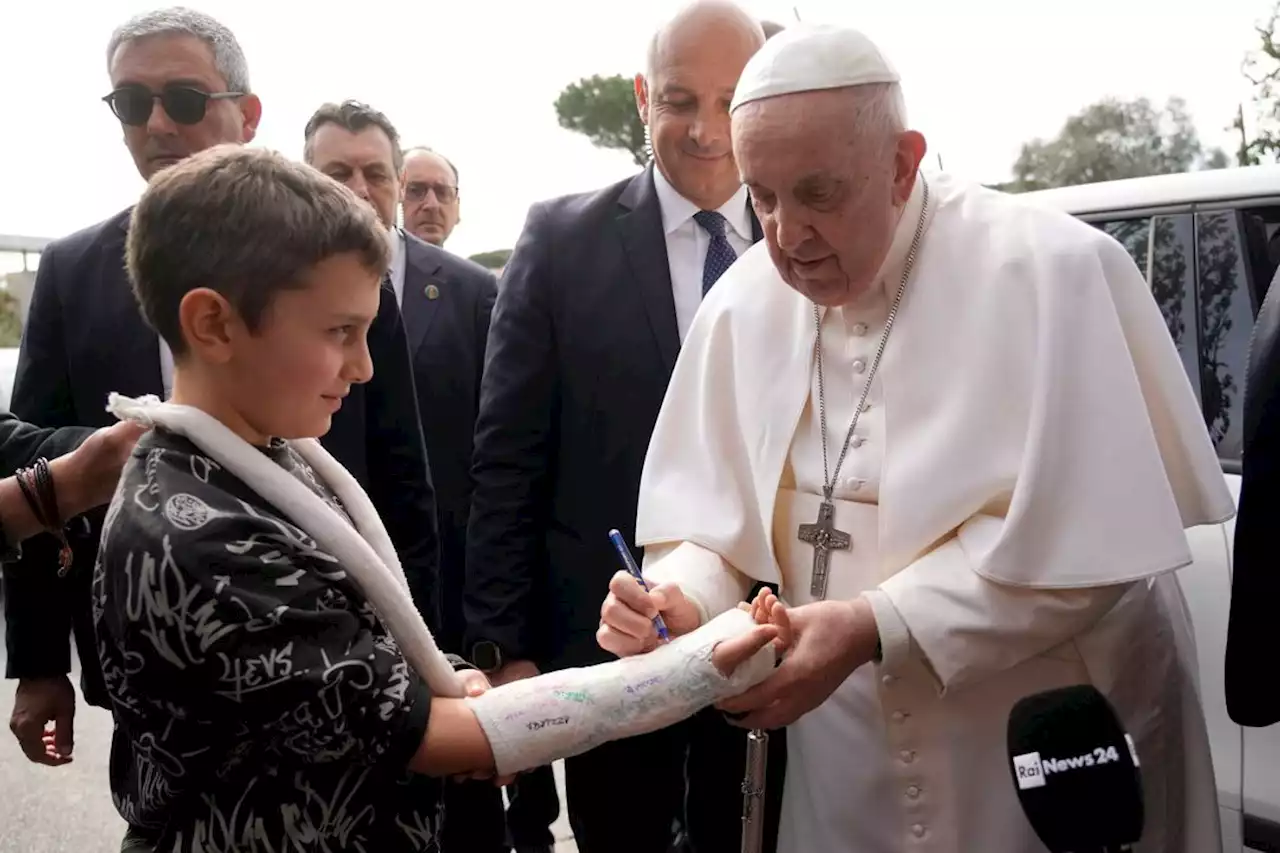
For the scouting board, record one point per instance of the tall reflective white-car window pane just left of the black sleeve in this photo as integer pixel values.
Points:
(1227, 326)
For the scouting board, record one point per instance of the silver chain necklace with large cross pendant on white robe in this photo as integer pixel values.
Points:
(822, 535)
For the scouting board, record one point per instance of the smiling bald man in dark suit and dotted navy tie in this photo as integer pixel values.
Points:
(593, 307)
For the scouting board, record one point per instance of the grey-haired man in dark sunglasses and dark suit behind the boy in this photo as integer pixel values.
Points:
(180, 85)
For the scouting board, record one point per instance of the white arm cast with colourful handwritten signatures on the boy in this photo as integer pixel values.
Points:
(536, 722)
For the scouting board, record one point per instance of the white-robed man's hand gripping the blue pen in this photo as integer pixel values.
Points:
(627, 615)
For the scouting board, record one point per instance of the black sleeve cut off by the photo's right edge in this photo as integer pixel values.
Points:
(1252, 699)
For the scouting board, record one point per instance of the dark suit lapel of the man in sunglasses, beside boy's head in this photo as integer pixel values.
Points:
(135, 346)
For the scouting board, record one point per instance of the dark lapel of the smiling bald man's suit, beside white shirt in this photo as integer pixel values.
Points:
(647, 253)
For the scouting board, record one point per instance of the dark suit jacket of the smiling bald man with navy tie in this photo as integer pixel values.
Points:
(582, 348)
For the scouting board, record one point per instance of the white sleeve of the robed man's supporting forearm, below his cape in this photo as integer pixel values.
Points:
(968, 628)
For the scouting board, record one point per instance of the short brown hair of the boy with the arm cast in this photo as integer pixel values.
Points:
(246, 223)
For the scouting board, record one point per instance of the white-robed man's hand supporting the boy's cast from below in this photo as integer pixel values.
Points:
(829, 640)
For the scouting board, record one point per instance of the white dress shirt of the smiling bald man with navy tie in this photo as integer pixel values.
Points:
(688, 244)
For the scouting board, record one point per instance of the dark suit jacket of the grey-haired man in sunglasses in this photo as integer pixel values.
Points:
(86, 337)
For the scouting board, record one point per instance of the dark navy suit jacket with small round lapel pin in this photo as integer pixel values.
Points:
(446, 304)
